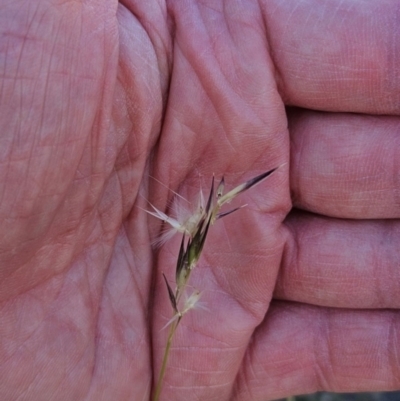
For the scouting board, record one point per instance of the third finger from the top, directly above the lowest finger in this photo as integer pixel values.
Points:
(341, 263)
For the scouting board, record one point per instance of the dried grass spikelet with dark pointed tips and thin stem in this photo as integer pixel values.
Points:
(194, 229)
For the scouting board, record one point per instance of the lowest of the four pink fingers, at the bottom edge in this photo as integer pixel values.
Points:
(301, 349)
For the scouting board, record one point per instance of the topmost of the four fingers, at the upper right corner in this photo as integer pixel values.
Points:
(335, 55)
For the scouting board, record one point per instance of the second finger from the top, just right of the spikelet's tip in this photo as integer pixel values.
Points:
(345, 165)
